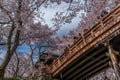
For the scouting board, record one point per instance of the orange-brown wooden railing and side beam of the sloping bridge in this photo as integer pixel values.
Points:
(109, 24)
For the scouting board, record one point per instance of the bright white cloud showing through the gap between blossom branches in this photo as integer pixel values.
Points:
(50, 12)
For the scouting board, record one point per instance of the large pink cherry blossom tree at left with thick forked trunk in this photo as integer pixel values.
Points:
(17, 24)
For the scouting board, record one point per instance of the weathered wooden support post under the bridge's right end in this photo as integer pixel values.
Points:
(114, 60)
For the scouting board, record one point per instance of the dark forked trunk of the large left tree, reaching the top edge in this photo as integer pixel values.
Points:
(12, 48)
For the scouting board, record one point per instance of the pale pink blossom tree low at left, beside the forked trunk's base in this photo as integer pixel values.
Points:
(19, 66)
